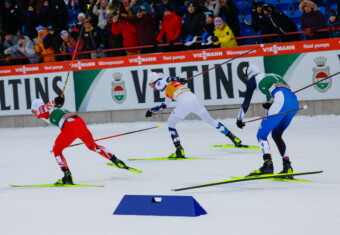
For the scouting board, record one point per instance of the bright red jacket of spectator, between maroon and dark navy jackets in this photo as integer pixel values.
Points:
(171, 26)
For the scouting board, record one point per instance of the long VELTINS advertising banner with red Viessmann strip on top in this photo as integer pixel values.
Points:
(121, 83)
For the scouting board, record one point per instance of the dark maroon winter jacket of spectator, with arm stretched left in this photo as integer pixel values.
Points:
(145, 28)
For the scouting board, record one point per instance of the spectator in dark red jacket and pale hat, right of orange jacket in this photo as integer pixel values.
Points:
(69, 45)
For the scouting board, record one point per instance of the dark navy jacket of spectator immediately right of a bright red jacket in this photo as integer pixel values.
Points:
(192, 25)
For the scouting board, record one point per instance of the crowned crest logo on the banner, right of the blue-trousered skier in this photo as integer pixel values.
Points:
(320, 72)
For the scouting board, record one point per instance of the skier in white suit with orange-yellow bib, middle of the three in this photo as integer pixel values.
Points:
(186, 103)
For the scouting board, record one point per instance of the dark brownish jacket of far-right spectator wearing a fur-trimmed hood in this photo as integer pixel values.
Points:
(314, 20)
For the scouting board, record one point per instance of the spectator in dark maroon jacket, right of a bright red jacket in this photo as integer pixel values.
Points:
(145, 28)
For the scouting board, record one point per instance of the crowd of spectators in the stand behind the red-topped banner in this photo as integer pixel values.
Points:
(48, 30)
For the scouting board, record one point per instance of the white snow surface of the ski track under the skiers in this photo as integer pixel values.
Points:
(253, 207)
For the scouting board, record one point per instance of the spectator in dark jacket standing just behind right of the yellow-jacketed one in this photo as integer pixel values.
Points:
(229, 14)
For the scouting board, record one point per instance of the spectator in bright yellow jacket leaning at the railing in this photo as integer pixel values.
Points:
(223, 34)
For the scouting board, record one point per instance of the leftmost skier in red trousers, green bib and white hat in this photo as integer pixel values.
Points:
(71, 127)
